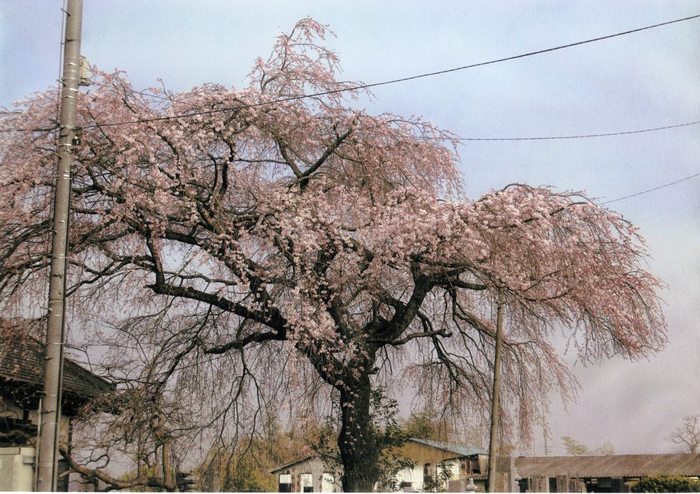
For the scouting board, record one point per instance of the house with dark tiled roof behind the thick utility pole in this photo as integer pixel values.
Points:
(21, 386)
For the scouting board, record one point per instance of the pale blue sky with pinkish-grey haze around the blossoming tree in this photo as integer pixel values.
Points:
(638, 81)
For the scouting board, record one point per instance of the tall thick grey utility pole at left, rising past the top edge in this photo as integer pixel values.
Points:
(47, 472)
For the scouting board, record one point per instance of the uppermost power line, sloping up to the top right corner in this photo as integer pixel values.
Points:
(381, 83)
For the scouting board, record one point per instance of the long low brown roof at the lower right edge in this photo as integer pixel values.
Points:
(609, 465)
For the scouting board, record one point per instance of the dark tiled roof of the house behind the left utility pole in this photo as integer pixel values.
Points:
(22, 361)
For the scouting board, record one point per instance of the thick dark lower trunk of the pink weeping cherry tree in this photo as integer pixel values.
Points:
(356, 441)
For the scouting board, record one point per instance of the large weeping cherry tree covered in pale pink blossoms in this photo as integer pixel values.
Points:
(245, 247)
